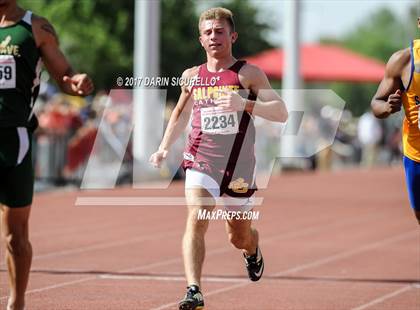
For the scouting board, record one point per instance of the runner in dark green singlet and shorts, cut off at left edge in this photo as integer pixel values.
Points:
(26, 41)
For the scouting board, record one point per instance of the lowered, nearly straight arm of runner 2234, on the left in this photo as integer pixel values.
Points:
(177, 122)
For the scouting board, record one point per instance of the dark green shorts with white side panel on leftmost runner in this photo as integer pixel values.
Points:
(16, 169)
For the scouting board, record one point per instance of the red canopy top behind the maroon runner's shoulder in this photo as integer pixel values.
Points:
(323, 63)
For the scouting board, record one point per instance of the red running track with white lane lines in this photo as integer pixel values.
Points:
(341, 240)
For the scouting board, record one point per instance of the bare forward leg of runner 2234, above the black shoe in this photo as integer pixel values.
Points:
(193, 246)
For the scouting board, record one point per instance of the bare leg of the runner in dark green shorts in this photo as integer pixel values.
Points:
(15, 233)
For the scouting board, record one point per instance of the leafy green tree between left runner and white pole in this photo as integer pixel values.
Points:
(96, 36)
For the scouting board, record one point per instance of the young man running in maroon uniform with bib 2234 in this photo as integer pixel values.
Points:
(219, 157)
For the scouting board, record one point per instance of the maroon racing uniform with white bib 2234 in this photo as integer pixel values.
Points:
(222, 142)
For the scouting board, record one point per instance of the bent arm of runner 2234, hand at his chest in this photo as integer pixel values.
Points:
(268, 105)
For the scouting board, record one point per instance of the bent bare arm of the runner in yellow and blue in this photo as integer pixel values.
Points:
(387, 99)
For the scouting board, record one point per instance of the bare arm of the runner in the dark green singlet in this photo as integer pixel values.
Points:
(68, 80)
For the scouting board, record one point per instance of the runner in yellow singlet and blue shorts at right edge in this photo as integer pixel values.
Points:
(401, 86)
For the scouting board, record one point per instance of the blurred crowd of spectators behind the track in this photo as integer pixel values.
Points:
(68, 131)
